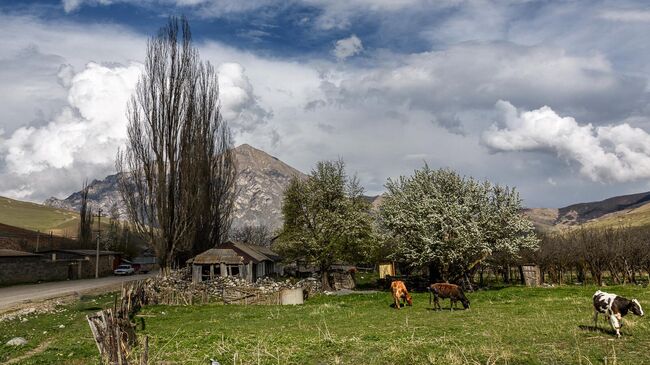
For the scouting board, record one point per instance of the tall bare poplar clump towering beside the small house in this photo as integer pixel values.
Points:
(176, 173)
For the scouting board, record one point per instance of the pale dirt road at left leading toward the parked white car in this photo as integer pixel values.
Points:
(15, 296)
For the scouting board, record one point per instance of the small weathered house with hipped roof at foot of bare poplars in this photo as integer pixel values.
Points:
(249, 262)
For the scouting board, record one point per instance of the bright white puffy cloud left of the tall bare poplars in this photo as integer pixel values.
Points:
(88, 130)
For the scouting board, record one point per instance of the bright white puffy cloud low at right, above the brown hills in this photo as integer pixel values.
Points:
(614, 153)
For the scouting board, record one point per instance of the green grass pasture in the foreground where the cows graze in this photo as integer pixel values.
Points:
(512, 325)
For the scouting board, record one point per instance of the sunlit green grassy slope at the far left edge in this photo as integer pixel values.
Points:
(38, 217)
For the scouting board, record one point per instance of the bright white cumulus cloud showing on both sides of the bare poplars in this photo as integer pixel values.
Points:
(86, 133)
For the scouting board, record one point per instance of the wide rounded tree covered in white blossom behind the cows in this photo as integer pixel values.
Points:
(451, 223)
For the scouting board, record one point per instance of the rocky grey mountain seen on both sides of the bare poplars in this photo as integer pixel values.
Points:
(261, 182)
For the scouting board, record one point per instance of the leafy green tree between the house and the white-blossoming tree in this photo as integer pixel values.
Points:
(326, 219)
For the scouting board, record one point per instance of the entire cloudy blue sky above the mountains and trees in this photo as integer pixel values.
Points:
(551, 97)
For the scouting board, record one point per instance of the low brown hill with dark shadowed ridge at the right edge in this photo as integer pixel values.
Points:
(631, 210)
